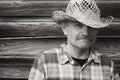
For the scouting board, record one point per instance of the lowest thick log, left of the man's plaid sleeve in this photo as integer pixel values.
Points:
(19, 68)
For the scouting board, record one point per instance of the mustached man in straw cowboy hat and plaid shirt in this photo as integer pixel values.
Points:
(76, 60)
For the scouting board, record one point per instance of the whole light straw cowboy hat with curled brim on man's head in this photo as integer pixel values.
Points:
(84, 11)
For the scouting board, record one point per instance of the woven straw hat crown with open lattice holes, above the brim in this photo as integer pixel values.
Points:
(83, 9)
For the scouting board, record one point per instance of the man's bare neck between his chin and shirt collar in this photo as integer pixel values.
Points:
(78, 53)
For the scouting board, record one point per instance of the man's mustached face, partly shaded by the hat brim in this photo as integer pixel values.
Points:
(79, 35)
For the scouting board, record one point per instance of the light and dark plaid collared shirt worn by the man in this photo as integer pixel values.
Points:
(57, 64)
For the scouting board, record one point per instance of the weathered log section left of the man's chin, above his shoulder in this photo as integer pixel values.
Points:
(26, 48)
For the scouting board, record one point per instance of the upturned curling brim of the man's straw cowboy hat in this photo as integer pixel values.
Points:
(60, 16)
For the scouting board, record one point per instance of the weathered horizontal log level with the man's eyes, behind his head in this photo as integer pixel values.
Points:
(44, 27)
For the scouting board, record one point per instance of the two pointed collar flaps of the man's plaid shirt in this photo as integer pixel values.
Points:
(65, 56)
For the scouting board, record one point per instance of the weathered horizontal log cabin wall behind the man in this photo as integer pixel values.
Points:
(27, 29)
